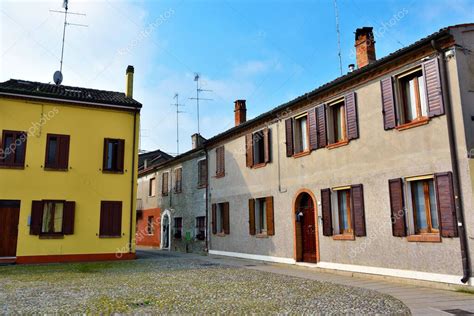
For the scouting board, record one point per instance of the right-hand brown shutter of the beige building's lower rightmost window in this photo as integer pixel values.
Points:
(446, 204)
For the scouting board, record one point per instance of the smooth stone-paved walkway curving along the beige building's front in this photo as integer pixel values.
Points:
(421, 300)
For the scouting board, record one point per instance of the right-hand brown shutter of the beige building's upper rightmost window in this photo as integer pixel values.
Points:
(434, 93)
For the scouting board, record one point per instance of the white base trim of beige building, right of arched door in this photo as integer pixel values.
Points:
(407, 274)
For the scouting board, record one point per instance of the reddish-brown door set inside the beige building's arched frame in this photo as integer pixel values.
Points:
(308, 229)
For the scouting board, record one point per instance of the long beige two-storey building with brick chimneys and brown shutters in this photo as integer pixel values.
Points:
(371, 173)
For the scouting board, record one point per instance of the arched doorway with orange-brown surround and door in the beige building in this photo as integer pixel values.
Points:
(306, 229)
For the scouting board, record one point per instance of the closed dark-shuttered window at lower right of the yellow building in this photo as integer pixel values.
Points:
(110, 219)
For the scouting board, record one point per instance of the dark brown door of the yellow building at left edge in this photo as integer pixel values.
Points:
(9, 216)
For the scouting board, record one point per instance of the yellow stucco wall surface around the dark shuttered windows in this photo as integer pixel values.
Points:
(83, 183)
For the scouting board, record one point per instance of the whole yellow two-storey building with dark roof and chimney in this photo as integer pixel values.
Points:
(68, 172)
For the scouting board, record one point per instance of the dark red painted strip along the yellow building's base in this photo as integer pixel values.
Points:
(75, 258)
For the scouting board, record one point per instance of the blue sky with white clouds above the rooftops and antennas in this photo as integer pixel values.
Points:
(266, 52)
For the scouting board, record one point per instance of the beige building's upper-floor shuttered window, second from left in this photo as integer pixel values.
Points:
(258, 147)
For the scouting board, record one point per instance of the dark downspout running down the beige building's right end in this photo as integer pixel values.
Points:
(455, 166)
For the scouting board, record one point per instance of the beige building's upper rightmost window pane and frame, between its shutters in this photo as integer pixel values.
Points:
(412, 96)
